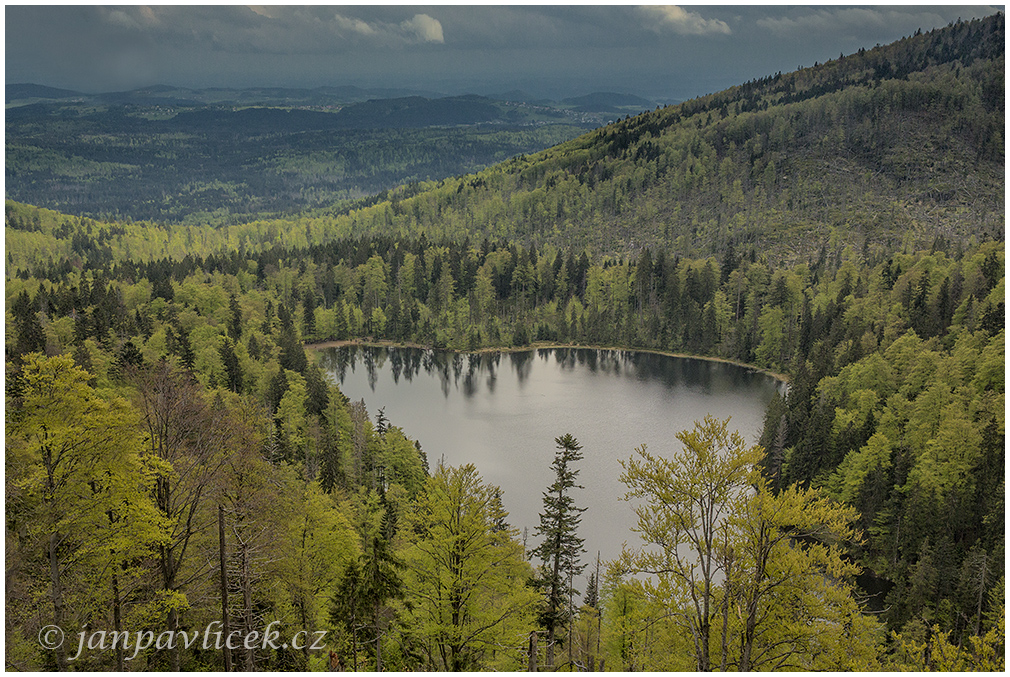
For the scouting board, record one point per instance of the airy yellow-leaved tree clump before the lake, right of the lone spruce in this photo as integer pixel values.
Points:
(752, 579)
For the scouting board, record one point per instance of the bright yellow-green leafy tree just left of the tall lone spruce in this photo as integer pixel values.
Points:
(473, 610)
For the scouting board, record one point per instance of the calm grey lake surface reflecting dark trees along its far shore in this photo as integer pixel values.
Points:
(502, 413)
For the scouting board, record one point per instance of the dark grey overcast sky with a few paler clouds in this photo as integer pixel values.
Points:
(662, 53)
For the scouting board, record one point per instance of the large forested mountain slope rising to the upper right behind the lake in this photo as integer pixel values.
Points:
(897, 144)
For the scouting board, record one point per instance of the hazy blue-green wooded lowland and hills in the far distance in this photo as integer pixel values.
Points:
(151, 154)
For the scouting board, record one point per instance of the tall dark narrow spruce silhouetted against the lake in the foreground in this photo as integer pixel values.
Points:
(561, 549)
